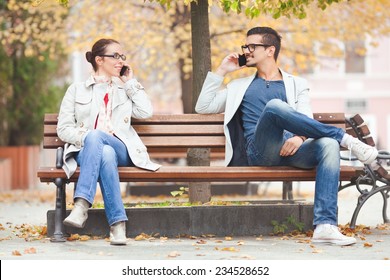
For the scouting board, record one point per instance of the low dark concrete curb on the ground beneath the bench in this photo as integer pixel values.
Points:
(243, 220)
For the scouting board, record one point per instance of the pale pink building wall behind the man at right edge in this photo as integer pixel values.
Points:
(331, 88)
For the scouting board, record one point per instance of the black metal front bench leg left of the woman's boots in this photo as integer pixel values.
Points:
(59, 214)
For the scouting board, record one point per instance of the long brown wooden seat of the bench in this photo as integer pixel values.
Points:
(205, 174)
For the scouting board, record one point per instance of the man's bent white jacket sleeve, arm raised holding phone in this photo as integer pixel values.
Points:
(212, 98)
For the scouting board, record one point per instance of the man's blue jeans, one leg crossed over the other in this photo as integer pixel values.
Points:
(278, 122)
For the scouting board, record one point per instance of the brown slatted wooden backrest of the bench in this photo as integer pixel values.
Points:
(178, 132)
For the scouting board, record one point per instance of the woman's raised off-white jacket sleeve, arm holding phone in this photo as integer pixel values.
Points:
(142, 106)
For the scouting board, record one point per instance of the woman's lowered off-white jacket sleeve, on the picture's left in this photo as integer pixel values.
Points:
(67, 128)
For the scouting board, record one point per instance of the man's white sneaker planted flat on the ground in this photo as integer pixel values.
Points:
(330, 234)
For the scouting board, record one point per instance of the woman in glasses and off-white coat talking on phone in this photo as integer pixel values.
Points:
(95, 122)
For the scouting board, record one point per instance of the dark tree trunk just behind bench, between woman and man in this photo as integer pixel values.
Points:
(201, 59)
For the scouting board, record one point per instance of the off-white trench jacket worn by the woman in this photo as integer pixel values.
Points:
(79, 110)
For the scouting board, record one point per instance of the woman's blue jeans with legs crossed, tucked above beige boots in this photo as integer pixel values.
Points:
(99, 159)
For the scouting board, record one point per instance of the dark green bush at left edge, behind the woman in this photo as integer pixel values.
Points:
(30, 93)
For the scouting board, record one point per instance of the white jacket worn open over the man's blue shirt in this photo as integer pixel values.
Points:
(215, 98)
